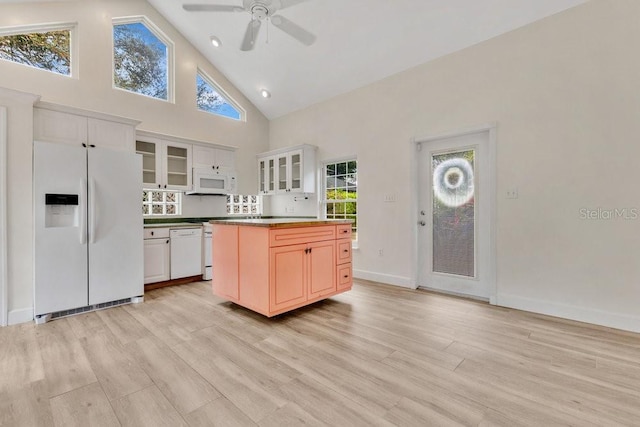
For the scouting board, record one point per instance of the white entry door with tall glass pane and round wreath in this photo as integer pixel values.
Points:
(455, 206)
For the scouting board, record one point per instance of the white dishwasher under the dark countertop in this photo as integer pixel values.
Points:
(186, 252)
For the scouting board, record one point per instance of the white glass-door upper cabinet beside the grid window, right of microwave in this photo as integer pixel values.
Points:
(290, 170)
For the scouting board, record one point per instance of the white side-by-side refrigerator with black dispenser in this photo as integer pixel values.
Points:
(88, 228)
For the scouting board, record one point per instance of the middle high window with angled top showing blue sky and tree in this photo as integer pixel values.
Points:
(142, 58)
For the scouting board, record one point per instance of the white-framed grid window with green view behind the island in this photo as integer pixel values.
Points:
(341, 192)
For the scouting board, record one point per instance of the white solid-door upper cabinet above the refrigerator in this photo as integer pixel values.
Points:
(65, 125)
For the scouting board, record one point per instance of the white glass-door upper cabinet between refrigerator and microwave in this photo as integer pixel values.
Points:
(165, 164)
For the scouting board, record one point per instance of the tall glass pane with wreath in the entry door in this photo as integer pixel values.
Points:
(453, 213)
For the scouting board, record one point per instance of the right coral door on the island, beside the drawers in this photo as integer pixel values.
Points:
(322, 269)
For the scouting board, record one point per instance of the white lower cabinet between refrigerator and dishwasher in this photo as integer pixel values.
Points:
(157, 251)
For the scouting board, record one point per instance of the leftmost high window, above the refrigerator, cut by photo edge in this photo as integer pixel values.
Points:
(46, 47)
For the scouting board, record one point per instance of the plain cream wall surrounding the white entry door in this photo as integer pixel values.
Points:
(565, 94)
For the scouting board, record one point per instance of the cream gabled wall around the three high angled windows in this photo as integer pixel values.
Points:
(92, 90)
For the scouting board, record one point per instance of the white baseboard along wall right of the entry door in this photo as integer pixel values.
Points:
(581, 314)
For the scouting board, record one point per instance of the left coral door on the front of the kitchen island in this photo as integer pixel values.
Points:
(288, 276)
